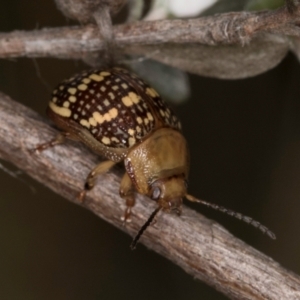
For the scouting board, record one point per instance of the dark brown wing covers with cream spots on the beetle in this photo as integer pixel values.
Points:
(117, 107)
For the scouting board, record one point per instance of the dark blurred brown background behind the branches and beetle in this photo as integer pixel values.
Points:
(244, 138)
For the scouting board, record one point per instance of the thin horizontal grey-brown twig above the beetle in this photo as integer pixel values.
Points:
(228, 29)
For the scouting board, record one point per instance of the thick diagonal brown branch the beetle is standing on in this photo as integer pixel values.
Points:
(200, 246)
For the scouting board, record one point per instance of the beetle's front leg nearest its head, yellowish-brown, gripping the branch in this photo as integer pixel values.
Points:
(127, 193)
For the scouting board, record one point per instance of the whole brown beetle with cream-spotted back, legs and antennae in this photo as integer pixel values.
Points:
(120, 117)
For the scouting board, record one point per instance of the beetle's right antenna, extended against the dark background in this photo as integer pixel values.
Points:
(234, 214)
